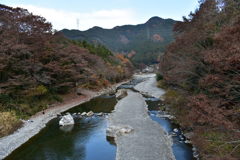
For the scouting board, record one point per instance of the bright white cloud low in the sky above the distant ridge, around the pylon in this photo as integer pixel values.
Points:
(63, 19)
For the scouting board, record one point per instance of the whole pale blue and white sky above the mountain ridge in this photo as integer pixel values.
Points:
(85, 14)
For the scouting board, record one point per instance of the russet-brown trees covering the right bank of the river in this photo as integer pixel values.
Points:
(202, 70)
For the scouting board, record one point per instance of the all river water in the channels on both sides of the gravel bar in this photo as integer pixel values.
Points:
(87, 139)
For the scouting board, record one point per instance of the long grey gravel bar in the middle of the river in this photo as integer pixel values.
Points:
(136, 135)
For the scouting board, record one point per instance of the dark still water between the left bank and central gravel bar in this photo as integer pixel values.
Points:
(86, 140)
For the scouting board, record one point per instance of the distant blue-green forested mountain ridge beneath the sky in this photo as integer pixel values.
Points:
(142, 43)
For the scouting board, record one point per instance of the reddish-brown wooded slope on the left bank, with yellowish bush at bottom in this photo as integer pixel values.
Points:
(37, 66)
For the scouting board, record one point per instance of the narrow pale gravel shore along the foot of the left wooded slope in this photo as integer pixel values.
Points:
(37, 122)
